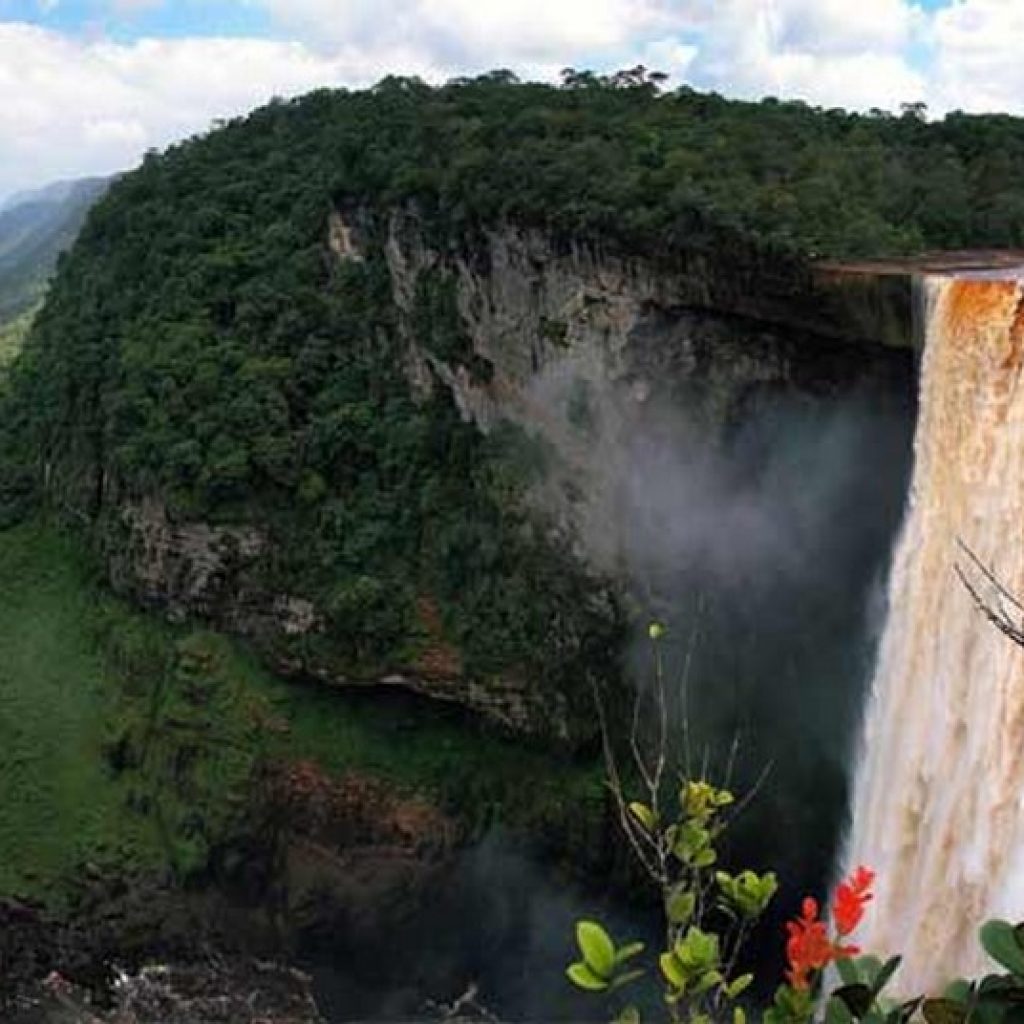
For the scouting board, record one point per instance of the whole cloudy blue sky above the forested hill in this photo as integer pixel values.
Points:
(90, 86)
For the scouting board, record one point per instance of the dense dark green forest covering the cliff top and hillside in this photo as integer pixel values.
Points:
(201, 344)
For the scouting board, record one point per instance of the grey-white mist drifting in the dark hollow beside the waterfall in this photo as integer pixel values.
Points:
(755, 518)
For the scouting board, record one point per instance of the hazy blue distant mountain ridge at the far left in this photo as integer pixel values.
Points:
(35, 228)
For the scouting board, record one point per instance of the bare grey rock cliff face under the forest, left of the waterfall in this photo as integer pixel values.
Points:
(586, 348)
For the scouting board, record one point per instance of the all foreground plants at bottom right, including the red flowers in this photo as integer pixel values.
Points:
(709, 914)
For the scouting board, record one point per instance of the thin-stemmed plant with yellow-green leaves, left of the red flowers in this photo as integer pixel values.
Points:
(708, 913)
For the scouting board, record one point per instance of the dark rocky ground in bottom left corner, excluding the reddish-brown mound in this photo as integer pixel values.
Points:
(140, 955)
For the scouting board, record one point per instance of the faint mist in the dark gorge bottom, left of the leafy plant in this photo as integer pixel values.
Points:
(499, 922)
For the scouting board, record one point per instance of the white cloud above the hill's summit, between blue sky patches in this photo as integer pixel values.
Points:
(835, 53)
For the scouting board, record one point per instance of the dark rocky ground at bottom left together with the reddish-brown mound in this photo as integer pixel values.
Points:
(328, 859)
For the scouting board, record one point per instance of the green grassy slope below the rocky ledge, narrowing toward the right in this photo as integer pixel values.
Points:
(88, 685)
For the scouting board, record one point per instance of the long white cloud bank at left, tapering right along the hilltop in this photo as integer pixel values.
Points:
(77, 107)
